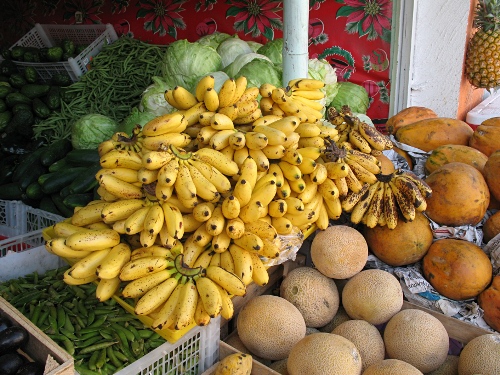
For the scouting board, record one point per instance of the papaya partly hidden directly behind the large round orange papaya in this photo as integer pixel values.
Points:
(449, 153)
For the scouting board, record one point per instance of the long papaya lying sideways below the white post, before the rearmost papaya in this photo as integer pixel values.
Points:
(429, 134)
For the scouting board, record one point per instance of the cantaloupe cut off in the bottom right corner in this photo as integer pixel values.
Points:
(481, 355)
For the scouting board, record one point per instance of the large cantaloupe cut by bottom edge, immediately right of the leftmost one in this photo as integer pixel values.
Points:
(324, 353)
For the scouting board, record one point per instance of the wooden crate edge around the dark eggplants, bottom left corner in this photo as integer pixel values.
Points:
(39, 346)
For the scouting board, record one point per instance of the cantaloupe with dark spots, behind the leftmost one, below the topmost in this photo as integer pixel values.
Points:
(314, 294)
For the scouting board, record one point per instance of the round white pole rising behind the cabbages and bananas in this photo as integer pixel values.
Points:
(295, 39)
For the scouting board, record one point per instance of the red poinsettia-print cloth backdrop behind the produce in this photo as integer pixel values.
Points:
(353, 35)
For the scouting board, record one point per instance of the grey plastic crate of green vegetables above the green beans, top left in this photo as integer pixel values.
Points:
(40, 36)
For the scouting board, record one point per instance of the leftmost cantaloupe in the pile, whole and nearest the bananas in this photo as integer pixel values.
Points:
(269, 326)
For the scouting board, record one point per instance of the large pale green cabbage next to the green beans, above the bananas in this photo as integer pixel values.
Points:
(185, 62)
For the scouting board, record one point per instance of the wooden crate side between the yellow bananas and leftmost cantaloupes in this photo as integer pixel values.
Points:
(276, 274)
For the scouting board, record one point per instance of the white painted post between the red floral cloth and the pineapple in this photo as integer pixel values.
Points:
(434, 51)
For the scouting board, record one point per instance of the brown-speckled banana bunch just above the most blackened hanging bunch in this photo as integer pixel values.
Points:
(360, 135)
